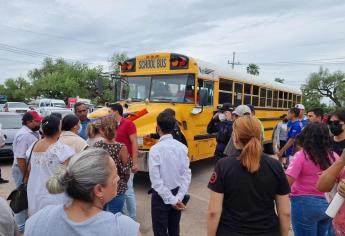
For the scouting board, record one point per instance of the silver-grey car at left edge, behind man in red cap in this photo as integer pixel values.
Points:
(10, 122)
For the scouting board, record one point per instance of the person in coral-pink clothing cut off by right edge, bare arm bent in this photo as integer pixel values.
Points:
(335, 175)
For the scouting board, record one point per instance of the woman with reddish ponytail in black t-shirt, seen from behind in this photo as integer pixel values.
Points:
(245, 187)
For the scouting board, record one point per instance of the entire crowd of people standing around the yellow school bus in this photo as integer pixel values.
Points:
(79, 174)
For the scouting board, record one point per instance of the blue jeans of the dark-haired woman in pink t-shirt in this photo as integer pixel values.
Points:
(308, 216)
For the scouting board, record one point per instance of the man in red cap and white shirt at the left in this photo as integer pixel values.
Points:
(24, 138)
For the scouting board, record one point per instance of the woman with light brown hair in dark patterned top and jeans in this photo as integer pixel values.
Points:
(118, 152)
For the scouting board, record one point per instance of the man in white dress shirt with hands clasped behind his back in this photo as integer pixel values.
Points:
(170, 176)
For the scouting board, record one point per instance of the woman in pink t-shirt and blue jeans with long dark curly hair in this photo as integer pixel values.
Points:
(308, 204)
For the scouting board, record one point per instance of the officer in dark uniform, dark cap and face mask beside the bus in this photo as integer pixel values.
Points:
(221, 125)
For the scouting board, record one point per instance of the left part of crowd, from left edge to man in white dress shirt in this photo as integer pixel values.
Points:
(79, 175)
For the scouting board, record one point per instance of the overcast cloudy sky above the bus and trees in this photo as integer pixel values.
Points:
(287, 39)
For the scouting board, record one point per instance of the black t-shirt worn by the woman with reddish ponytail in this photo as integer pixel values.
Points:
(248, 203)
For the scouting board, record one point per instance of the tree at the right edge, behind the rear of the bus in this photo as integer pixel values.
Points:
(324, 84)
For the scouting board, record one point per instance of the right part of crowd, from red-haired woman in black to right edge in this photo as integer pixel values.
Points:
(251, 194)
